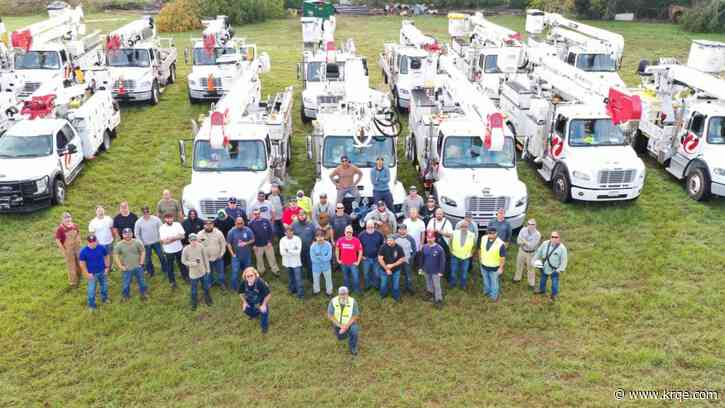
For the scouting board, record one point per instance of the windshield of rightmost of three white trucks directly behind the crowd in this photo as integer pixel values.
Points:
(469, 152)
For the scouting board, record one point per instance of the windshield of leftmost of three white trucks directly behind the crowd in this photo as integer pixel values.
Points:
(240, 155)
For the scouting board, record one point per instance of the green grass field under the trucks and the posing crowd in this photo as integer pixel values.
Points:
(641, 304)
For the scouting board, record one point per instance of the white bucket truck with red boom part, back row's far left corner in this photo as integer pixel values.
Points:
(51, 51)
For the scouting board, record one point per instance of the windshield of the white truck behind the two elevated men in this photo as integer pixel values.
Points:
(337, 146)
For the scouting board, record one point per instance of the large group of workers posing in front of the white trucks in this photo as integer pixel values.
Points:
(312, 242)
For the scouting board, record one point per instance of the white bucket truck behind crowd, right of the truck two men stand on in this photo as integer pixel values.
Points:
(459, 129)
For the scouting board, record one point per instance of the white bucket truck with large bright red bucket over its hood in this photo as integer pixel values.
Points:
(569, 123)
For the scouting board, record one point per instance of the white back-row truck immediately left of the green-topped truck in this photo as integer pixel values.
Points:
(218, 58)
